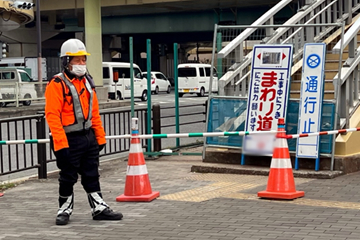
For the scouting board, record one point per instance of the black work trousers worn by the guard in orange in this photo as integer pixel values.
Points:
(83, 160)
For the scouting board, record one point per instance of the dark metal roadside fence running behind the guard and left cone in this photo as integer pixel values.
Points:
(22, 157)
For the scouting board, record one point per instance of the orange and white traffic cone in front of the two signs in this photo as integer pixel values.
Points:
(281, 184)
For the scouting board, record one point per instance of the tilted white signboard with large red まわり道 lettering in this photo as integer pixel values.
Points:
(268, 95)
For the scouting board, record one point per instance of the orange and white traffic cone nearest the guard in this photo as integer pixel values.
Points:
(137, 184)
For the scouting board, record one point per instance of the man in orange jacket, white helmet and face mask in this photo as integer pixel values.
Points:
(77, 134)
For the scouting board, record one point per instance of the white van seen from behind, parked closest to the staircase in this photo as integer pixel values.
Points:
(195, 78)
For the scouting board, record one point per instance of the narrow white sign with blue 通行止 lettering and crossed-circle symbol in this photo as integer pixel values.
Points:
(311, 96)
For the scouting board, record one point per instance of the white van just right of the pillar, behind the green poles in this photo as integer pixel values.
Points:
(121, 71)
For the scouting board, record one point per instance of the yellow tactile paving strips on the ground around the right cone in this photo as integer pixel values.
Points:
(231, 185)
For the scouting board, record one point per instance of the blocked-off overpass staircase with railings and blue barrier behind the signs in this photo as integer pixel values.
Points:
(335, 23)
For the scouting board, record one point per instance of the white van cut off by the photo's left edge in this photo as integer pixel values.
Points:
(12, 81)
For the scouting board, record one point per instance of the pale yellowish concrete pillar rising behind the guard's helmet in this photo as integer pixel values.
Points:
(92, 10)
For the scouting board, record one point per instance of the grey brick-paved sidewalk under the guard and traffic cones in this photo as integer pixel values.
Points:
(191, 206)
